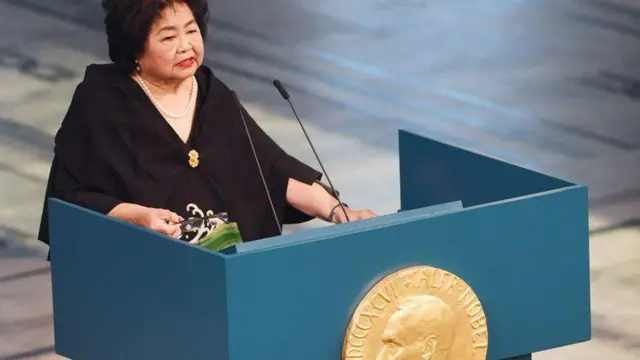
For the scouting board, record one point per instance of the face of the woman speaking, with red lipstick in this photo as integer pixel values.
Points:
(175, 48)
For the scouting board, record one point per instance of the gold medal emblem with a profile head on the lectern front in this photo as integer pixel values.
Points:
(418, 313)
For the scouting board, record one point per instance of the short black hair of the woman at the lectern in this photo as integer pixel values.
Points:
(128, 24)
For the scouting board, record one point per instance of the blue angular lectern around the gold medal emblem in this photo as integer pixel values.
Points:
(519, 238)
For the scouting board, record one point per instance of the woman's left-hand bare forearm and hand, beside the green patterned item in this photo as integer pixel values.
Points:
(160, 220)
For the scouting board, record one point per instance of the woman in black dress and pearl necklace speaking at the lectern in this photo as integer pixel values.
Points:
(155, 137)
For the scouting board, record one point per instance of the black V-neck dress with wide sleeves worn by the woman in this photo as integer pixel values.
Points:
(114, 146)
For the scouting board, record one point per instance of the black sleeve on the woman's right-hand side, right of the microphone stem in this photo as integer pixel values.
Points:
(280, 167)
